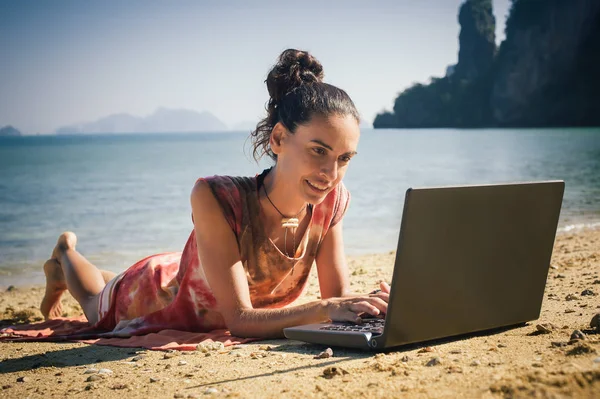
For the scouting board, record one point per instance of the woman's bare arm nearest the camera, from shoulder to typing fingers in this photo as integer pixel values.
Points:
(225, 274)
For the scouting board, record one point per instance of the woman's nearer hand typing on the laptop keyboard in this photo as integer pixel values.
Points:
(351, 308)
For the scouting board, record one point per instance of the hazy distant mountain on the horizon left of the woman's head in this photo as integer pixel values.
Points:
(163, 120)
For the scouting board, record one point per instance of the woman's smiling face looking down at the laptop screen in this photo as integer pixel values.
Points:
(315, 158)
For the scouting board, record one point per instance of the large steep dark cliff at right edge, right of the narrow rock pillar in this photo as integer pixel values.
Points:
(547, 70)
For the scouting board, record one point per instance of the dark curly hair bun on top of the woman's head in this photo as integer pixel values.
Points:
(293, 69)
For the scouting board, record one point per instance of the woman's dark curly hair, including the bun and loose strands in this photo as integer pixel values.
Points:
(297, 93)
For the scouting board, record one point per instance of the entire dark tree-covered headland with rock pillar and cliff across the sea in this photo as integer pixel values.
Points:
(544, 74)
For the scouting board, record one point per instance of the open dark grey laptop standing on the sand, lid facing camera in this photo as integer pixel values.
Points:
(469, 258)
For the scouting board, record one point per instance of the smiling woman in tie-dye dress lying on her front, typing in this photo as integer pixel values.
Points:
(254, 239)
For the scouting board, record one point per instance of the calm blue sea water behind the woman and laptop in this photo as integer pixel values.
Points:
(127, 196)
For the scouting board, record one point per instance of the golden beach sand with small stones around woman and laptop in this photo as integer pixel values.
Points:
(521, 362)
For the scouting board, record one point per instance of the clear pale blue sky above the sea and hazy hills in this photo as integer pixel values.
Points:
(68, 61)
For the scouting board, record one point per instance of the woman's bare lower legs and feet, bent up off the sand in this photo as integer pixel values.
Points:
(69, 270)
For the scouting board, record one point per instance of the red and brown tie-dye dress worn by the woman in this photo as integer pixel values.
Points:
(170, 291)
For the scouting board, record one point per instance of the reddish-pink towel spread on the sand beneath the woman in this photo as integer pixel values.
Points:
(77, 329)
